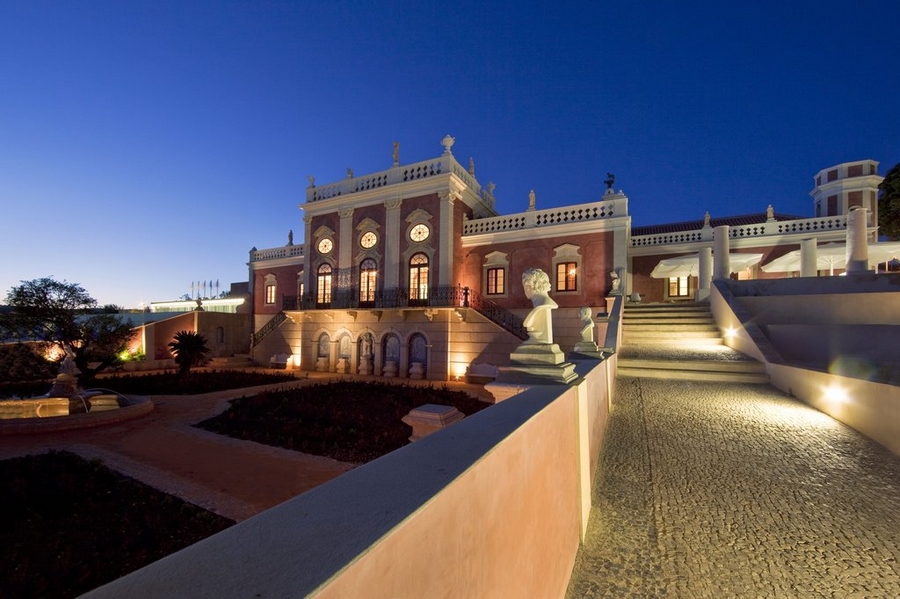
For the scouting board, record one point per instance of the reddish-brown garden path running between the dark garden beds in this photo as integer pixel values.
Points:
(236, 479)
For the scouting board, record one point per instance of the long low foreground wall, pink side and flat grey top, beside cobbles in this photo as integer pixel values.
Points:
(492, 506)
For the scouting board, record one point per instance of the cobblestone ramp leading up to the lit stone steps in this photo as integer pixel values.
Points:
(730, 490)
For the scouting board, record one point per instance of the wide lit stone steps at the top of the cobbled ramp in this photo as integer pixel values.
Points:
(681, 342)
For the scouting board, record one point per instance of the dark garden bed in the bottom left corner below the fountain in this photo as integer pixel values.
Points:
(68, 525)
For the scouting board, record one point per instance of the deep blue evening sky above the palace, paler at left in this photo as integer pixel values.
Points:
(146, 145)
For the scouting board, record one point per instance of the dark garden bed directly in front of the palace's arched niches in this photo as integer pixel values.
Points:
(348, 421)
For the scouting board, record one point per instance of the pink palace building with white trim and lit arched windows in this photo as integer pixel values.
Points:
(411, 272)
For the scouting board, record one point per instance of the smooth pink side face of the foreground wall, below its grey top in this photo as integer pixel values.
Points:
(508, 527)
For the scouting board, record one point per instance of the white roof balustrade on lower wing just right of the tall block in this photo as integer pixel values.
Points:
(547, 217)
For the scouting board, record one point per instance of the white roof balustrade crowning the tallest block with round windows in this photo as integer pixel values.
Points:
(397, 175)
